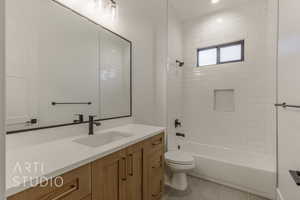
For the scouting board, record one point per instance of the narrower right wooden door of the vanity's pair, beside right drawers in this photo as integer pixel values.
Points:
(134, 185)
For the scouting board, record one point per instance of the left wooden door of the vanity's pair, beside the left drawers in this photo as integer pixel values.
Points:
(109, 177)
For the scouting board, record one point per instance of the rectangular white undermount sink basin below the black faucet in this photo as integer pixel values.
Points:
(102, 139)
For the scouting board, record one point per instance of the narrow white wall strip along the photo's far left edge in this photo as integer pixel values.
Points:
(2, 99)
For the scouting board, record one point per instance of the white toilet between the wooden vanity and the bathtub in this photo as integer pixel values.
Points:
(179, 163)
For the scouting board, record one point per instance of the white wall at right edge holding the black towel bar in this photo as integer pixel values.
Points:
(288, 87)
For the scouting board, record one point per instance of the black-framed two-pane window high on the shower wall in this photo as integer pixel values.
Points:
(221, 54)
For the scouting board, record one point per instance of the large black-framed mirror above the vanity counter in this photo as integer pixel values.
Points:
(61, 65)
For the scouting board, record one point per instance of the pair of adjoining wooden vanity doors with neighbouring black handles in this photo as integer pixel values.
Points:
(119, 176)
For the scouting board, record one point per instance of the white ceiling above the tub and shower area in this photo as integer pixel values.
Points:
(187, 9)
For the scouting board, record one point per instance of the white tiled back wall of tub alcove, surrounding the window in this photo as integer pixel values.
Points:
(251, 127)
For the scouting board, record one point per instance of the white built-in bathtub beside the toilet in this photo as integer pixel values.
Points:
(253, 173)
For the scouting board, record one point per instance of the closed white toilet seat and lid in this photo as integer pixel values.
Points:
(179, 157)
